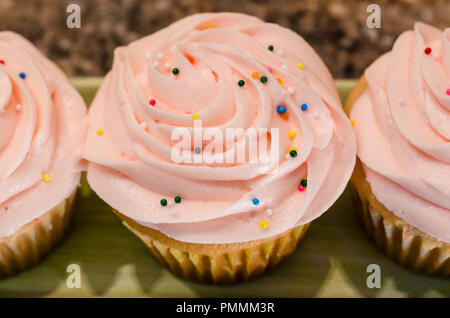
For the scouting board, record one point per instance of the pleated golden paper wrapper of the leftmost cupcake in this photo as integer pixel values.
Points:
(31, 243)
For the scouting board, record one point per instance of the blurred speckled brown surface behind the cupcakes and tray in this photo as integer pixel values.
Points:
(336, 29)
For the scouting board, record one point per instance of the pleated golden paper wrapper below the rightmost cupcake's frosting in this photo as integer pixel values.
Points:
(402, 242)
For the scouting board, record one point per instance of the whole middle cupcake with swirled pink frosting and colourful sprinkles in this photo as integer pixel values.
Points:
(223, 212)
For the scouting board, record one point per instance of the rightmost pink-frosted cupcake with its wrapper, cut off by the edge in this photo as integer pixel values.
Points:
(400, 110)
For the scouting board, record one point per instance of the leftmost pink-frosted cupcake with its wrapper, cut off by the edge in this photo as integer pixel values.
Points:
(42, 128)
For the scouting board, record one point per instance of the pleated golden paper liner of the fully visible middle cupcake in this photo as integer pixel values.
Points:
(217, 263)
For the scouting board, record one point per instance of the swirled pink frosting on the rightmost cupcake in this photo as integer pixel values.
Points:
(402, 127)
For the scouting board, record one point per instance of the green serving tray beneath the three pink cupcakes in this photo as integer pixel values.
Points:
(330, 262)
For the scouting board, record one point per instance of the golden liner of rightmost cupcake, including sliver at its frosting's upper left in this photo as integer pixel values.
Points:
(401, 241)
